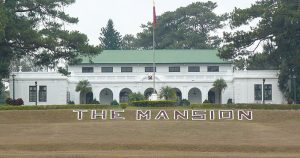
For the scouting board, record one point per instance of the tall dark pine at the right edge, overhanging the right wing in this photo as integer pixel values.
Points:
(278, 30)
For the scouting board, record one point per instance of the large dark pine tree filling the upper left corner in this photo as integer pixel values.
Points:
(34, 28)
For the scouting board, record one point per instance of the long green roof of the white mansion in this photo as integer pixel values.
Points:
(184, 56)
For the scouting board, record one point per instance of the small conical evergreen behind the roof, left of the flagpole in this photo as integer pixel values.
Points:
(109, 37)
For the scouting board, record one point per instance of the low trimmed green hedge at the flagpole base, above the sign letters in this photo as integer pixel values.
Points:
(161, 103)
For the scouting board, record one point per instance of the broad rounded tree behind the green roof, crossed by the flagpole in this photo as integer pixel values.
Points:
(186, 28)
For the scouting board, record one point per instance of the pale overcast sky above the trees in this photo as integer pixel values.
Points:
(128, 15)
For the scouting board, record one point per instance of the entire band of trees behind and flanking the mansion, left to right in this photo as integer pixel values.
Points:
(34, 29)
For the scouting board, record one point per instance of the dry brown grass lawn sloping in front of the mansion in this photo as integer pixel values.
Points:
(57, 133)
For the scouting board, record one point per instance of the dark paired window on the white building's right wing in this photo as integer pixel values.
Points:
(267, 92)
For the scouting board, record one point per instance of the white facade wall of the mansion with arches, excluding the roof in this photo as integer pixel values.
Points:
(240, 84)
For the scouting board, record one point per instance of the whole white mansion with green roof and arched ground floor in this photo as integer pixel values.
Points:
(116, 73)
